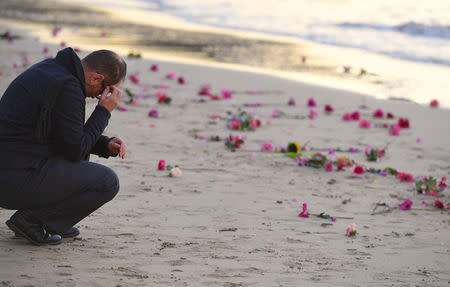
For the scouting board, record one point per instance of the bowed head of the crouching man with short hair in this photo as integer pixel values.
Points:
(103, 68)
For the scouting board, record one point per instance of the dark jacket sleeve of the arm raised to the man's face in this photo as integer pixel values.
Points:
(74, 138)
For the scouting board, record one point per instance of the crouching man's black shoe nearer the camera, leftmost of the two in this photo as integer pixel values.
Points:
(34, 232)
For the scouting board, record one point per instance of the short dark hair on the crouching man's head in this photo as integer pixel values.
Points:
(107, 63)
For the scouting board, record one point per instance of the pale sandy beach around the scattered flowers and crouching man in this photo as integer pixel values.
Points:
(232, 219)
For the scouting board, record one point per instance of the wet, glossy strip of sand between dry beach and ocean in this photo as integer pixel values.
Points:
(228, 48)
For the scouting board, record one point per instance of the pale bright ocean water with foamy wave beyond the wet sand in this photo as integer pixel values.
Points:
(414, 30)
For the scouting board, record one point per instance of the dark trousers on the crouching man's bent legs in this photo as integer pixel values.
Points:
(59, 193)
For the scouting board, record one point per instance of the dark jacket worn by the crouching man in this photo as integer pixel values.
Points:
(42, 114)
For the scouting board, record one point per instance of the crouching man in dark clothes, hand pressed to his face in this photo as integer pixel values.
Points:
(45, 143)
